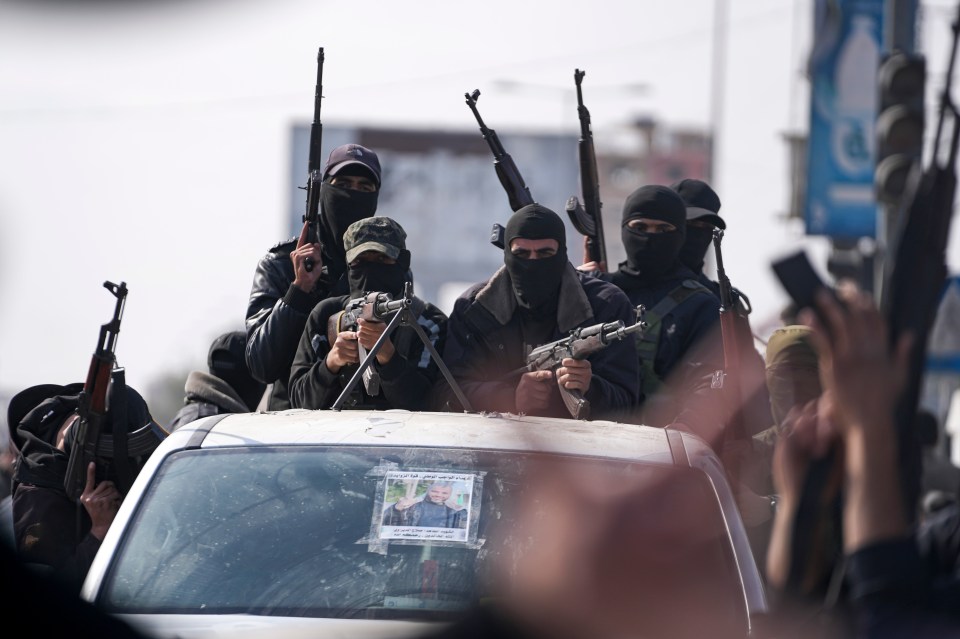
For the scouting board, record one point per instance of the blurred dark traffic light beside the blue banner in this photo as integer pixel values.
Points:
(900, 119)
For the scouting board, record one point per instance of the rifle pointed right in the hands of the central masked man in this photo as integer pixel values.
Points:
(580, 344)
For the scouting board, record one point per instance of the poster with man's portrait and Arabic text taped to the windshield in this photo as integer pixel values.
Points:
(428, 506)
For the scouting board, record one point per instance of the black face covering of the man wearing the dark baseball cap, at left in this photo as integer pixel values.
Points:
(342, 207)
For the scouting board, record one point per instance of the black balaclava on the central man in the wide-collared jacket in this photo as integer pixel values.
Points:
(536, 282)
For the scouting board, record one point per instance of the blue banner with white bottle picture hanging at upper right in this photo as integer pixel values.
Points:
(840, 200)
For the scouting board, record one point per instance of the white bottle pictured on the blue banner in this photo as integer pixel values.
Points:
(855, 98)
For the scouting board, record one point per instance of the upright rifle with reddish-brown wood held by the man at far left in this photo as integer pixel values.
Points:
(93, 399)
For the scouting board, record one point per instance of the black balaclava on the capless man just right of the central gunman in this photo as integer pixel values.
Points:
(652, 254)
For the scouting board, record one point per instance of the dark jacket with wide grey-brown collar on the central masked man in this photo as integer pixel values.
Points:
(486, 344)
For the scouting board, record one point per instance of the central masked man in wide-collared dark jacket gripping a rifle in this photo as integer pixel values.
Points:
(537, 297)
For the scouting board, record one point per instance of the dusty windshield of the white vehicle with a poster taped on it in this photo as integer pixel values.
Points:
(363, 532)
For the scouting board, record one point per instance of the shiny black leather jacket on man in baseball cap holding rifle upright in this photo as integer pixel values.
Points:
(276, 316)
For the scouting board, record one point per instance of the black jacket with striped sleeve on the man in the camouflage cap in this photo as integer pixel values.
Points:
(404, 381)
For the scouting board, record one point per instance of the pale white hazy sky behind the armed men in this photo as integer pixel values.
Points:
(150, 144)
